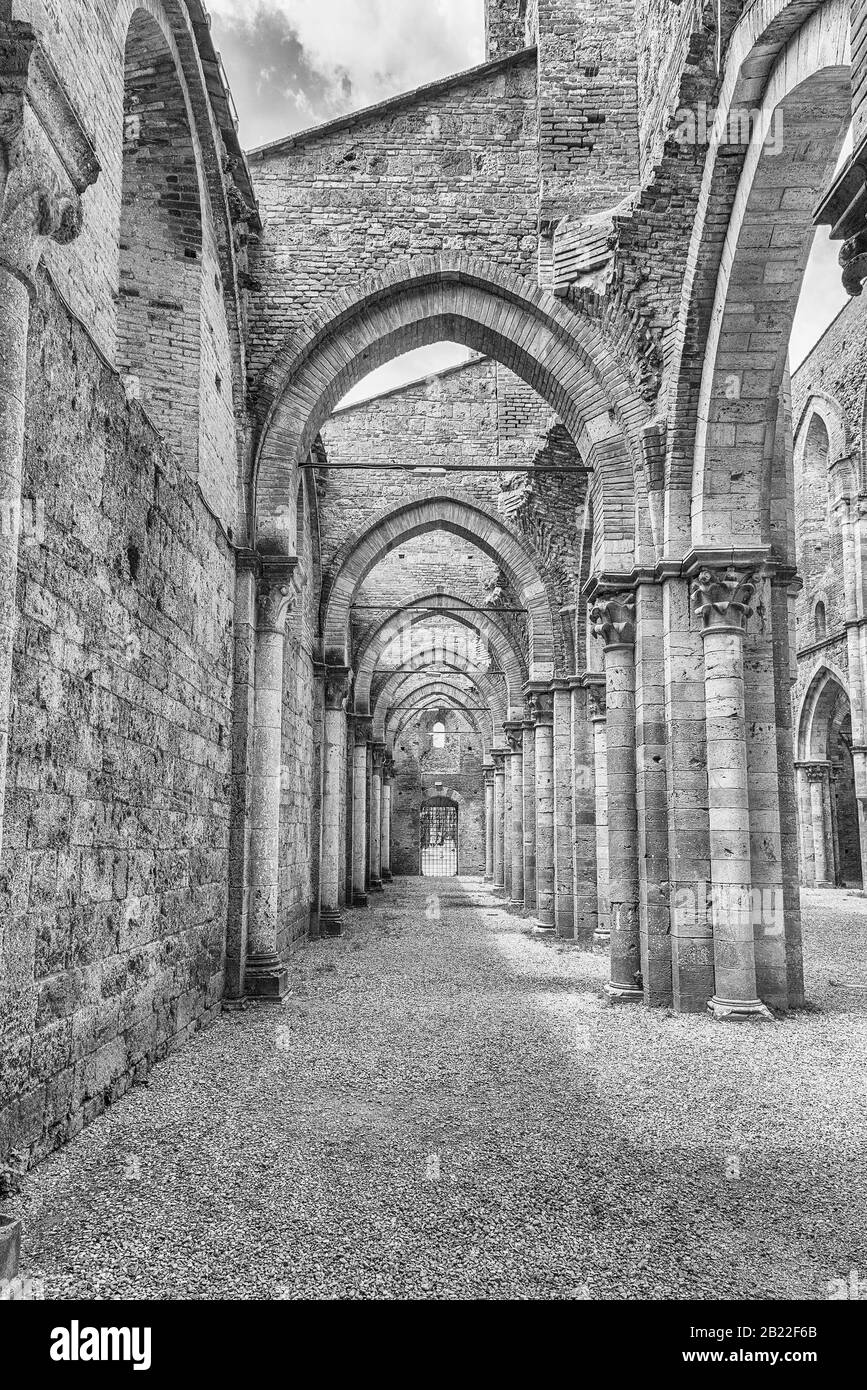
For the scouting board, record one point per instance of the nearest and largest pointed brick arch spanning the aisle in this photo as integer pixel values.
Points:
(561, 354)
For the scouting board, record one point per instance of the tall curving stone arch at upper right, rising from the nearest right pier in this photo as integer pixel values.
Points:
(733, 319)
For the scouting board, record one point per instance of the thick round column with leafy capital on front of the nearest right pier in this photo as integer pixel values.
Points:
(722, 600)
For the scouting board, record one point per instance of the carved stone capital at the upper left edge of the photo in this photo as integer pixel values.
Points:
(47, 158)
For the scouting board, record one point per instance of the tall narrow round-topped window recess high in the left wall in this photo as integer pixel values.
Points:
(160, 261)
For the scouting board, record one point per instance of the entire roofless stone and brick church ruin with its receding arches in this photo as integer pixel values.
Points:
(584, 616)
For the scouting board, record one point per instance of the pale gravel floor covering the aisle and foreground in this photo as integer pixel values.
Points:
(447, 1107)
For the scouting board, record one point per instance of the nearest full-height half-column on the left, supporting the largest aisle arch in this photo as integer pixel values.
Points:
(266, 978)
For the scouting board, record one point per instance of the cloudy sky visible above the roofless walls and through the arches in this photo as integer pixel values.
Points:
(297, 63)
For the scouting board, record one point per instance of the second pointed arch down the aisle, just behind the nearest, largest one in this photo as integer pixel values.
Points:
(472, 525)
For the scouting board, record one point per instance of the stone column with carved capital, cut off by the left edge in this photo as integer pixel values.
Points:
(47, 162)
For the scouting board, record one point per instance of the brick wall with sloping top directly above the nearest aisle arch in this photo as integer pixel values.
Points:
(452, 167)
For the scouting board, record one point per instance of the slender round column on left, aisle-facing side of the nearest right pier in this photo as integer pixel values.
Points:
(613, 619)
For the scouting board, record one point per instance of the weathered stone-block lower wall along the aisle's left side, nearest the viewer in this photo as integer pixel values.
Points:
(113, 883)
